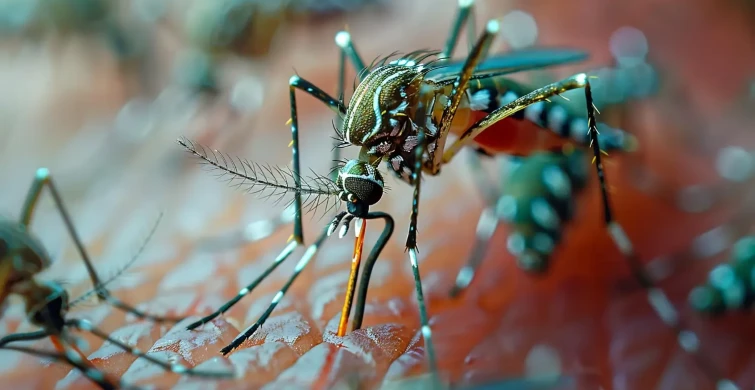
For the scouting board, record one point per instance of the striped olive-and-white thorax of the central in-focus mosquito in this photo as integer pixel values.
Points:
(382, 106)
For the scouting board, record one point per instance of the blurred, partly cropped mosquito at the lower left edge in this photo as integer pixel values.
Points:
(22, 257)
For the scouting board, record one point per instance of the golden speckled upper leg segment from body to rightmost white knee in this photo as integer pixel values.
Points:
(507, 110)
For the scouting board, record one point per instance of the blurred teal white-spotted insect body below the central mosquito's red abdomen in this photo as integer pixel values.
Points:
(537, 200)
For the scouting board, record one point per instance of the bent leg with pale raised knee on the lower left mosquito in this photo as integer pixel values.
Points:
(43, 178)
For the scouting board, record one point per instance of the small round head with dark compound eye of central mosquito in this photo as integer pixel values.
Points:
(361, 182)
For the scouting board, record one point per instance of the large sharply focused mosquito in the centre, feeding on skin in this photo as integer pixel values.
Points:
(397, 106)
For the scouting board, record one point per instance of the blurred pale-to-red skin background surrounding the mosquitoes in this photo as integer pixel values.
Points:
(98, 91)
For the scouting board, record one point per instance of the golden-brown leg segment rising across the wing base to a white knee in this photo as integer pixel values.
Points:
(460, 88)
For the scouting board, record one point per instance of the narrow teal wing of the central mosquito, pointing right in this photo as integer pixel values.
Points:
(512, 62)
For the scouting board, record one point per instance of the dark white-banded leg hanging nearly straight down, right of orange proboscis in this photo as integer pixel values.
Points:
(411, 246)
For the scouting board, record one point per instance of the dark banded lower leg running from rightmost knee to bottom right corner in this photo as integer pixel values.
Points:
(657, 298)
